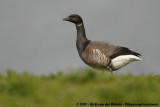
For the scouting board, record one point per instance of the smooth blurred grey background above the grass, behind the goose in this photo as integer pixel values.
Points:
(34, 38)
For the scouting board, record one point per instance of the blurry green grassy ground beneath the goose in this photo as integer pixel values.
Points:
(79, 87)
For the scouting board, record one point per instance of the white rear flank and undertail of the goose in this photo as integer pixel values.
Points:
(123, 60)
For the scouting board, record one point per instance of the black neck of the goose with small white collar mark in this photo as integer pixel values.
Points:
(82, 41)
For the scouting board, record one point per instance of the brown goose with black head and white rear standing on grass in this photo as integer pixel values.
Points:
(100, 55)
